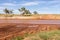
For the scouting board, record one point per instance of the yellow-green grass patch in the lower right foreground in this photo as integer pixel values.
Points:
(50, 35)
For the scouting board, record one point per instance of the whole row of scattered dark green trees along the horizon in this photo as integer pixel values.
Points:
(23, 12)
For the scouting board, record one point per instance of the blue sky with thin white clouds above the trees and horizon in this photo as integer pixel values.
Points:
(41, 6)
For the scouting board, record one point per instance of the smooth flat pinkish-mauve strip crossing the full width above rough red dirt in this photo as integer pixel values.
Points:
(32, 21)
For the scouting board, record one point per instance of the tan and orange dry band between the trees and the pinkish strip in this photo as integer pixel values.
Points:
(41, 16)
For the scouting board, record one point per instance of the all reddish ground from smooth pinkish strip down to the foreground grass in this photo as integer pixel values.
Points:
(12, 28)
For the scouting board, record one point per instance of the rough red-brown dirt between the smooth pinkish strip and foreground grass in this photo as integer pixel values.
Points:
(12, 30)
